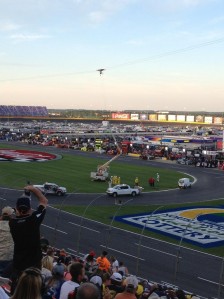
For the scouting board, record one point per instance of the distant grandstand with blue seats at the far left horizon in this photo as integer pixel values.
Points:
(23, 111)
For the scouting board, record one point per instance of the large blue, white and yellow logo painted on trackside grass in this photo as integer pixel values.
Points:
(202, 226)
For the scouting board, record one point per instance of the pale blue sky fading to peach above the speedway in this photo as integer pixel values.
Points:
(157, 54)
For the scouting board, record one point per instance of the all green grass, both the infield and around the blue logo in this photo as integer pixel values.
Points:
(73, 172)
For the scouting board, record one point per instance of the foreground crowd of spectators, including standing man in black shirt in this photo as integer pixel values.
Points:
(31, 268)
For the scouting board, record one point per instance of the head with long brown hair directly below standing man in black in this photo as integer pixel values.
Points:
(30, 285)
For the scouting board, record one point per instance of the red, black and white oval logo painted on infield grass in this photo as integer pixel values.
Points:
(10, 155)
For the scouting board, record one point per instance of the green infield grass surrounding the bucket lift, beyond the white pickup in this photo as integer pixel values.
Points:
(73, 172)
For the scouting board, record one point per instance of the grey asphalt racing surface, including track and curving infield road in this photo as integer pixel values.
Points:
(149, 258)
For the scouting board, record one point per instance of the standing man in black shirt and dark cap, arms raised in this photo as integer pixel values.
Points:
(25, 230)
